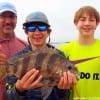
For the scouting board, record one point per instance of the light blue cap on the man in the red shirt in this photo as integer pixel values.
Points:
(6, 6)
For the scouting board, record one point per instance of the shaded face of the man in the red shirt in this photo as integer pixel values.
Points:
(8, 22)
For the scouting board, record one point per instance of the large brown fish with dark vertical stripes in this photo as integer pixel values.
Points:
(50, 63)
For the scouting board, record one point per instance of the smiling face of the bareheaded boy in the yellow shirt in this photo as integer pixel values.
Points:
(86, 25)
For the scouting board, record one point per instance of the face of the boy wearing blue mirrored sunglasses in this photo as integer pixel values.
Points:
(38, 34)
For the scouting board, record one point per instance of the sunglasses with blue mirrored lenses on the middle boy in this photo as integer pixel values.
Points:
(33, 28)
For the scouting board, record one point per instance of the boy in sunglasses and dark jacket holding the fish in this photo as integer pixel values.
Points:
(38, 29)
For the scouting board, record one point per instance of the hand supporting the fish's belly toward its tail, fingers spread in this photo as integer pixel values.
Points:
(29, 81)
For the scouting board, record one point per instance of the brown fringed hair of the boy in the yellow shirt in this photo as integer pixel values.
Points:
(89, 10)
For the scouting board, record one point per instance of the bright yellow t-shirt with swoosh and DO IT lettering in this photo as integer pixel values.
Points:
(87, 60)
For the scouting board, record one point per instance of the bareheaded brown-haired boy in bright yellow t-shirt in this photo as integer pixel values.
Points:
(86, 52)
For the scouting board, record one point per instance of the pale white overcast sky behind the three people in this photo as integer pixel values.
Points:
(60, 14)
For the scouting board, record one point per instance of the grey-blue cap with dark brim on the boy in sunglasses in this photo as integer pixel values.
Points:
(36, 17)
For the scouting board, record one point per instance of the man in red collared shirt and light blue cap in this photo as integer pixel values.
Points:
(9, 43)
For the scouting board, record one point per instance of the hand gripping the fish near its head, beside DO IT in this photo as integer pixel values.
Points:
(67, 80)
